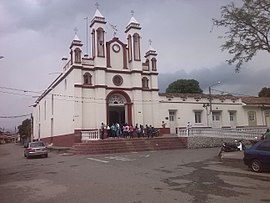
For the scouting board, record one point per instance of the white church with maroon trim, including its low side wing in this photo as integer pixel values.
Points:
(118, 83)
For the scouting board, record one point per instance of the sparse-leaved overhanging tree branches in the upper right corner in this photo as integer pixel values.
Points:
(248, 30)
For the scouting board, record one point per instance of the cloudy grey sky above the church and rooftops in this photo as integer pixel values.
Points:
(36, 34)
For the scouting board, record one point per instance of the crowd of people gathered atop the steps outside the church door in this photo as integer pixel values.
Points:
(117, 130)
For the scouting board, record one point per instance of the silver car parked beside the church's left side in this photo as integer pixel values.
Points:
(37, 148)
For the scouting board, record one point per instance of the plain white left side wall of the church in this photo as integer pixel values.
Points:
(56, 117)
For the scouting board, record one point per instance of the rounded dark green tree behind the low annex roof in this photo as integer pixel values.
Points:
(184, 86)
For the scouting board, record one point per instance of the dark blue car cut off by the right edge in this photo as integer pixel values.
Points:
(257, 157)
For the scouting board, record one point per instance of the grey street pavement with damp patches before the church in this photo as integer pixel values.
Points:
(187, 175)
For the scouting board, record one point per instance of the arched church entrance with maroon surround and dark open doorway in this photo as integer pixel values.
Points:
(118, 107)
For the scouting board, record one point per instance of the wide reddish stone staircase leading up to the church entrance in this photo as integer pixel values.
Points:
(121, 145)
